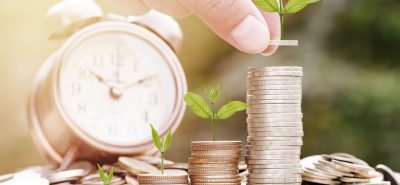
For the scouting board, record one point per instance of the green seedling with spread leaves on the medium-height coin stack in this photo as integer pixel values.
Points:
(203, 110)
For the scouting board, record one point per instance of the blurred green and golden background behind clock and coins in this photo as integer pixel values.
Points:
(350, 51)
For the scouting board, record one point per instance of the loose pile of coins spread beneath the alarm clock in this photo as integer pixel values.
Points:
(126, 171)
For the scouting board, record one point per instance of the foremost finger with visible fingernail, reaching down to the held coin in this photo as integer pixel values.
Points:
(238, 22)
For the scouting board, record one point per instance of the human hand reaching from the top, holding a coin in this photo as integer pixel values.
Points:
(239, 22)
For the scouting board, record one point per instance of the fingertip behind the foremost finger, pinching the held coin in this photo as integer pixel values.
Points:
(273, 22)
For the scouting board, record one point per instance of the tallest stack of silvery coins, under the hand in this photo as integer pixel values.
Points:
(274, 123)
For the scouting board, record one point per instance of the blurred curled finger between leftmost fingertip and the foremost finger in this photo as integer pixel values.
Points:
(171, 7)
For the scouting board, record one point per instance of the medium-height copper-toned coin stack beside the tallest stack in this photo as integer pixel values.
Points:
(215, 162)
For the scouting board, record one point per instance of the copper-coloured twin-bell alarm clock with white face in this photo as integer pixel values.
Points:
(95, 97)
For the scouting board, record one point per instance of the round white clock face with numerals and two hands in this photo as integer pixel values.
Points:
(112, 85)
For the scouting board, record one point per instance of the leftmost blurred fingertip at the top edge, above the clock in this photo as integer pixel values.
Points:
(129, 7)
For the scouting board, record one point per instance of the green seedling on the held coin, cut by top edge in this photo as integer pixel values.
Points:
(291, 7)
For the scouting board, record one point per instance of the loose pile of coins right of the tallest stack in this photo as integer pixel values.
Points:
(340, 168)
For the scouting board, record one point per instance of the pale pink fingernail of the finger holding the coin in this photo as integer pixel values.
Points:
(251, 35)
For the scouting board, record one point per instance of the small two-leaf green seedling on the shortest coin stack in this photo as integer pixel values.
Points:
(161, 144)
